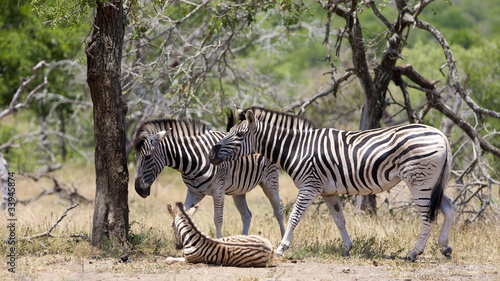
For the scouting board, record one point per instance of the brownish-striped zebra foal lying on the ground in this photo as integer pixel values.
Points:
(238, 250)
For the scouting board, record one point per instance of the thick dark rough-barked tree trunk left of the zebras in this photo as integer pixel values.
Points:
(104, 52)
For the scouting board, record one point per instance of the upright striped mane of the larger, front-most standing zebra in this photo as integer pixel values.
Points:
(281, 120)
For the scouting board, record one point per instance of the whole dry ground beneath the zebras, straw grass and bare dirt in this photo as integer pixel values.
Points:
(473, 258)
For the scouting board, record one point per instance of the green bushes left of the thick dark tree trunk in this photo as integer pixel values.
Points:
(34, 41)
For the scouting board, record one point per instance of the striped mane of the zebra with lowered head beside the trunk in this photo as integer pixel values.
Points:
(180, 128)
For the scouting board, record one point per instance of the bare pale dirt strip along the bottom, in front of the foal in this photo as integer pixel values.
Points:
(283, 270)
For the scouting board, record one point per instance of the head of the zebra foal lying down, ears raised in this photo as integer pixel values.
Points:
(181, 222)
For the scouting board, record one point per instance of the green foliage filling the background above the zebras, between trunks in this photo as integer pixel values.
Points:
(276, 72)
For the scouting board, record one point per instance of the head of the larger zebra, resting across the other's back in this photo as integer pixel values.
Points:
(239, 142)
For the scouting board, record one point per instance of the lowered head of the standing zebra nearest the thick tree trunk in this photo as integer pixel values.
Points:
(148, 157)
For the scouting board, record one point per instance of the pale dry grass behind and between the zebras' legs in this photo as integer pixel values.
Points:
(383, 240)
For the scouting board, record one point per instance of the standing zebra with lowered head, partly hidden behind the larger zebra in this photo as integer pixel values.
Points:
(184, 146)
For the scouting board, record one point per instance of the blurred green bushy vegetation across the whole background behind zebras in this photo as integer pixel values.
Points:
(287, 66)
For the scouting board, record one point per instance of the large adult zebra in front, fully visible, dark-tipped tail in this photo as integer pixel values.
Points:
(329, 162)
